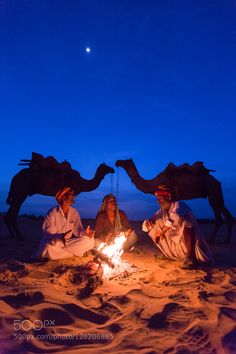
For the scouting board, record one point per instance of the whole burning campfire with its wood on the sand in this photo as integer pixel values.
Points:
(110, 257)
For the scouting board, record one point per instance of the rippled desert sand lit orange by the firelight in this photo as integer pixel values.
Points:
(159, 308)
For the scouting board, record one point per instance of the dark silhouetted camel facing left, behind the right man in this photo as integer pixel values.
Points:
(188, 182)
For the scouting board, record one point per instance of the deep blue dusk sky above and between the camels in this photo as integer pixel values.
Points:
(158, 86)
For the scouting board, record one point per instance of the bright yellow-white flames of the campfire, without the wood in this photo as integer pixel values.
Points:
(114, 251)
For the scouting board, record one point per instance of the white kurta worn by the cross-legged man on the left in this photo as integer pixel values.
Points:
(55, 225)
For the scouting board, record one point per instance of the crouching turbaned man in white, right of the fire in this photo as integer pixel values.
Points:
(175, 231)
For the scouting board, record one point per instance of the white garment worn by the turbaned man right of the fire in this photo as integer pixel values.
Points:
(173, 244)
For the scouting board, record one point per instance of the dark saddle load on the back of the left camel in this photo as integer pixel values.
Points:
(39, 161)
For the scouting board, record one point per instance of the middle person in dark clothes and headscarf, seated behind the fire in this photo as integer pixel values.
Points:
(110, 221)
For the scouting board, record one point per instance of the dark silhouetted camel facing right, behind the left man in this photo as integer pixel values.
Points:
(46, 177)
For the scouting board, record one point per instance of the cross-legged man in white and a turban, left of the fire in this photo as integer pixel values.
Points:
(63, 232)
